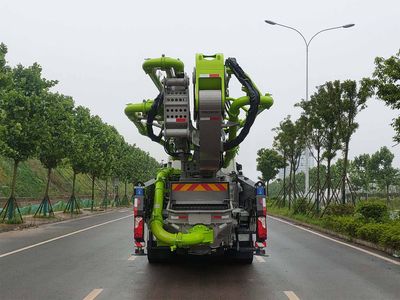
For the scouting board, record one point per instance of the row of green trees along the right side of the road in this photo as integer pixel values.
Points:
(325, 128)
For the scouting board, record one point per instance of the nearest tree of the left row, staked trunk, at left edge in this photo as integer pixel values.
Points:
(22, 118)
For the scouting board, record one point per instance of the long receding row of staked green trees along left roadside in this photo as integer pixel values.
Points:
(36, 122)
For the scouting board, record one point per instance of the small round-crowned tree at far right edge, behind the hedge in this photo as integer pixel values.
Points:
(382, 170)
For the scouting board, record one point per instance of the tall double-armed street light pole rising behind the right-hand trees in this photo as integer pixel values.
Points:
(307, 44)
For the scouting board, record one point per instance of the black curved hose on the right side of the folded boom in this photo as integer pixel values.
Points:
(254, 100)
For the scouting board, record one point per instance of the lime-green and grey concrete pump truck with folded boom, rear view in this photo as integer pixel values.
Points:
(199, 203)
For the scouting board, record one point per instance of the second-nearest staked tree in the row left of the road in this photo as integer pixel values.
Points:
(57, 130)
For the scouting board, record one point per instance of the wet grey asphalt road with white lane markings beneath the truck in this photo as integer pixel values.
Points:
(92, 258)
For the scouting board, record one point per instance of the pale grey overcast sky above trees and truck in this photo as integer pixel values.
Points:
(96, 49)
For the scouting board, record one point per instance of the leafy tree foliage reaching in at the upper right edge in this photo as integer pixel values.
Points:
(387, 80)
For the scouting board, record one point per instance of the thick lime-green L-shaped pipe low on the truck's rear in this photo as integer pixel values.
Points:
(198, 234)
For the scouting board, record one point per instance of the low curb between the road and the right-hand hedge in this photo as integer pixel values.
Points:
(343, 237)
